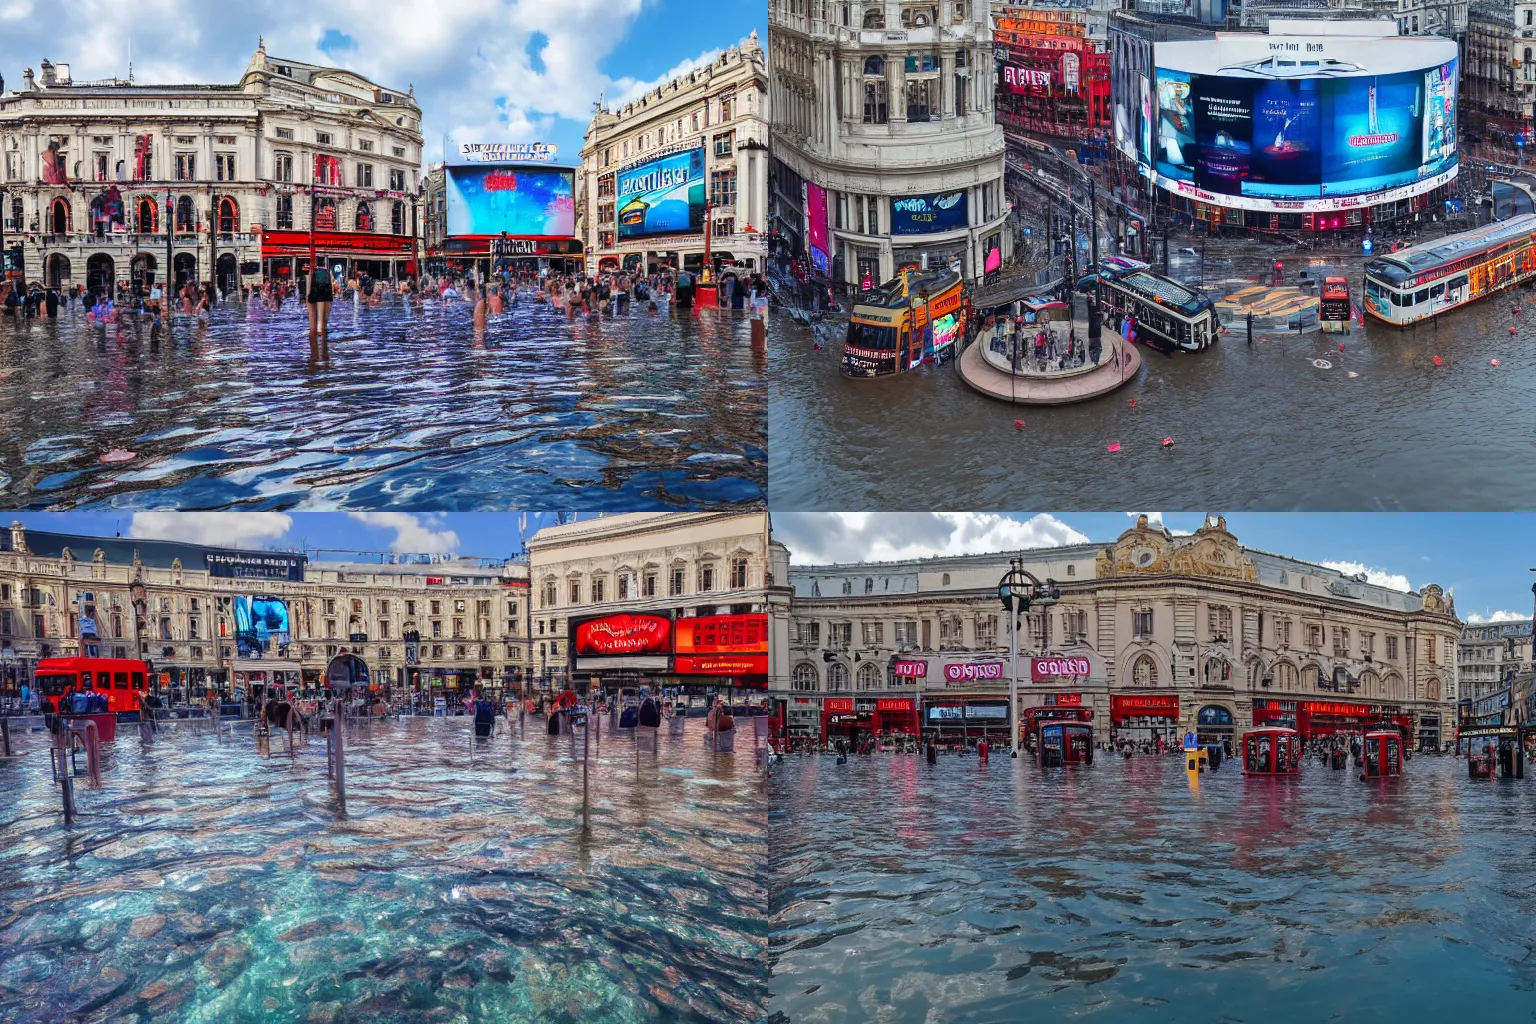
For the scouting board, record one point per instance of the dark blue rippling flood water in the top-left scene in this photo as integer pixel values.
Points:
(405, 409)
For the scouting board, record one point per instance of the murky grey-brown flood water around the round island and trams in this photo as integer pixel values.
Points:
(1254, 428)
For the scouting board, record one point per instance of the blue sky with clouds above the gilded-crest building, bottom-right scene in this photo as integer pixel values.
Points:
(1483, 560)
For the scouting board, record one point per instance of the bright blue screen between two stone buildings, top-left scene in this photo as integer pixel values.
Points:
(528, 202)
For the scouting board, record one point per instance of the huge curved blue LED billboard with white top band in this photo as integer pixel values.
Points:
(1305, 124)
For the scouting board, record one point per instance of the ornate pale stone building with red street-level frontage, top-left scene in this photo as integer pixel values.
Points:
(98, 173)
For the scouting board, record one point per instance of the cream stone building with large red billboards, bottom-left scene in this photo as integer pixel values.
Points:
(674, 575)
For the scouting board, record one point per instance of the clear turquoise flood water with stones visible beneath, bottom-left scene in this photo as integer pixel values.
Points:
(207, 884)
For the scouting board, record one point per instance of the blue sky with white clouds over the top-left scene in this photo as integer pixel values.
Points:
(483, 70)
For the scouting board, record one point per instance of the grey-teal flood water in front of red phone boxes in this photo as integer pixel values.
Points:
(968, 893)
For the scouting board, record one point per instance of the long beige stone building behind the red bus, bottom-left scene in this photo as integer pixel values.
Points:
(176, 606)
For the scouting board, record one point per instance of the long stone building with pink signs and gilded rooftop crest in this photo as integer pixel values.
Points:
(1153, 635)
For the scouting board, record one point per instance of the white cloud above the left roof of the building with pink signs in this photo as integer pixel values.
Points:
(816, 538)
